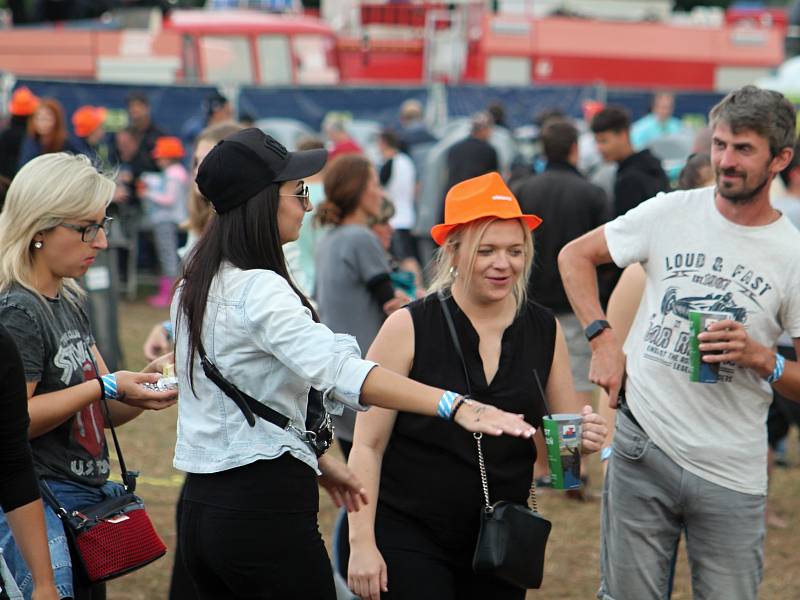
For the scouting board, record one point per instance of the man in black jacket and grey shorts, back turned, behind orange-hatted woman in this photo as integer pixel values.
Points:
(569, 206)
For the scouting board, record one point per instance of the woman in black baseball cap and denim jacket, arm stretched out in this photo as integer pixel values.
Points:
(250, 354)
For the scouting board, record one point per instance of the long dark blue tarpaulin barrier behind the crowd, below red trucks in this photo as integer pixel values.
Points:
(173, 106)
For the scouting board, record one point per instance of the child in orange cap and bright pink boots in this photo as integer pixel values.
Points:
(165, 196)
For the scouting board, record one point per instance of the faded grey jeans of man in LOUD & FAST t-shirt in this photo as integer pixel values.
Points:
(647, 500)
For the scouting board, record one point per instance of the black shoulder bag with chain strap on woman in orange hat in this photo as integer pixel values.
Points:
(512, 537)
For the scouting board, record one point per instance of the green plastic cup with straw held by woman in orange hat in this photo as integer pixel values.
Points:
(562, 434)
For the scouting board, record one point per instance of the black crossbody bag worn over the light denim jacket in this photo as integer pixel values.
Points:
(318, 433)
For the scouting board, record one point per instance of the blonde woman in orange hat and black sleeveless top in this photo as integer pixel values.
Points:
(417, 540)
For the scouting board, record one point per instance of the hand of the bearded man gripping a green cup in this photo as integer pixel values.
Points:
(729, 342)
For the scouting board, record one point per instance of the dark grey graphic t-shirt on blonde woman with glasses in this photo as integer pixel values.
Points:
(54, 341)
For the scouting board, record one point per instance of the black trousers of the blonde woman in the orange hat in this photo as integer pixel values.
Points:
(420, 569)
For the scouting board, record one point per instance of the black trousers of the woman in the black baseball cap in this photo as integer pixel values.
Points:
(252, 533)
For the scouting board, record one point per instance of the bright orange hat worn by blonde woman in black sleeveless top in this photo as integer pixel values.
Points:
(477, 198)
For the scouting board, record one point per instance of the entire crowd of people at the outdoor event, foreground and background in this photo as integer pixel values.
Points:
(304, 289)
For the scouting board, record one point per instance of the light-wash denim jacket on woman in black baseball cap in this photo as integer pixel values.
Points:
(264, 341)
